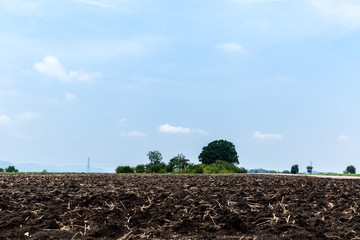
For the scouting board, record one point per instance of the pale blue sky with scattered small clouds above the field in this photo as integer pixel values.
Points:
(113, 80)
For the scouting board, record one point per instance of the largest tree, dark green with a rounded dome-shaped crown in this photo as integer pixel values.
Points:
(219, 150)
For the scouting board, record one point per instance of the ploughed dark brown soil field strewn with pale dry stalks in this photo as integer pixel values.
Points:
(145, 206)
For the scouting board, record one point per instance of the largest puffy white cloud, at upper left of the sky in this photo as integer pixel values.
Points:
(51, 67)
